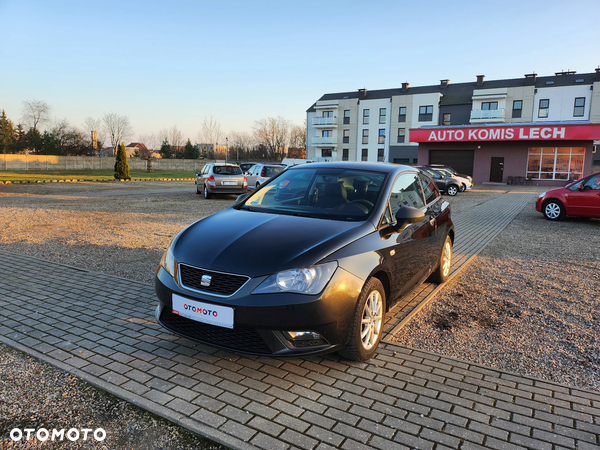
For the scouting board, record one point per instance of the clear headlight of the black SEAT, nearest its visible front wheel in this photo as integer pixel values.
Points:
(307, 280)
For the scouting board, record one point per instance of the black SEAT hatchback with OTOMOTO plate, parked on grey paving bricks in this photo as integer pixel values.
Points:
(328, 248)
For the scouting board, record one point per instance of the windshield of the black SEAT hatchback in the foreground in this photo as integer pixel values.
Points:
(325, 193)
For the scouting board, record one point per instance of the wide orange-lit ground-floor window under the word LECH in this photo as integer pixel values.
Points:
(555, 163)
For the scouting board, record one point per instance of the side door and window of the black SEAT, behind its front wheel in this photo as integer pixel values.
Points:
(411, 248)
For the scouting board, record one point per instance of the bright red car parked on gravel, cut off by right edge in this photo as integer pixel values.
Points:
(580, 198)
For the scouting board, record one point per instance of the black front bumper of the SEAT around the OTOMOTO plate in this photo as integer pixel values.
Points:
(262, 320)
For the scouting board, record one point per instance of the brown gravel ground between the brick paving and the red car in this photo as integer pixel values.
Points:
(530, 303)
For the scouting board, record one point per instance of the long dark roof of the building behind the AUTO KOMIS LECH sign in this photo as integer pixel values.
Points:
(462, 93)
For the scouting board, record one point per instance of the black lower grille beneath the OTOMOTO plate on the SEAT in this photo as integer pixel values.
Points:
(241, 338)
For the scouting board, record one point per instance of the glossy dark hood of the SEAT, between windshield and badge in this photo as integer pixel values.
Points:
(255, 244)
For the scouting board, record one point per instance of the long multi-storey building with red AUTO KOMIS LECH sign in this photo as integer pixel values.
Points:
(542, 129)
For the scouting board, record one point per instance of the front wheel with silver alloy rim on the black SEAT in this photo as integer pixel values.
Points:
(370, 307)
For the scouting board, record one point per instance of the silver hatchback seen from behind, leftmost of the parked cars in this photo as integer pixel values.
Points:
(217, 178)
